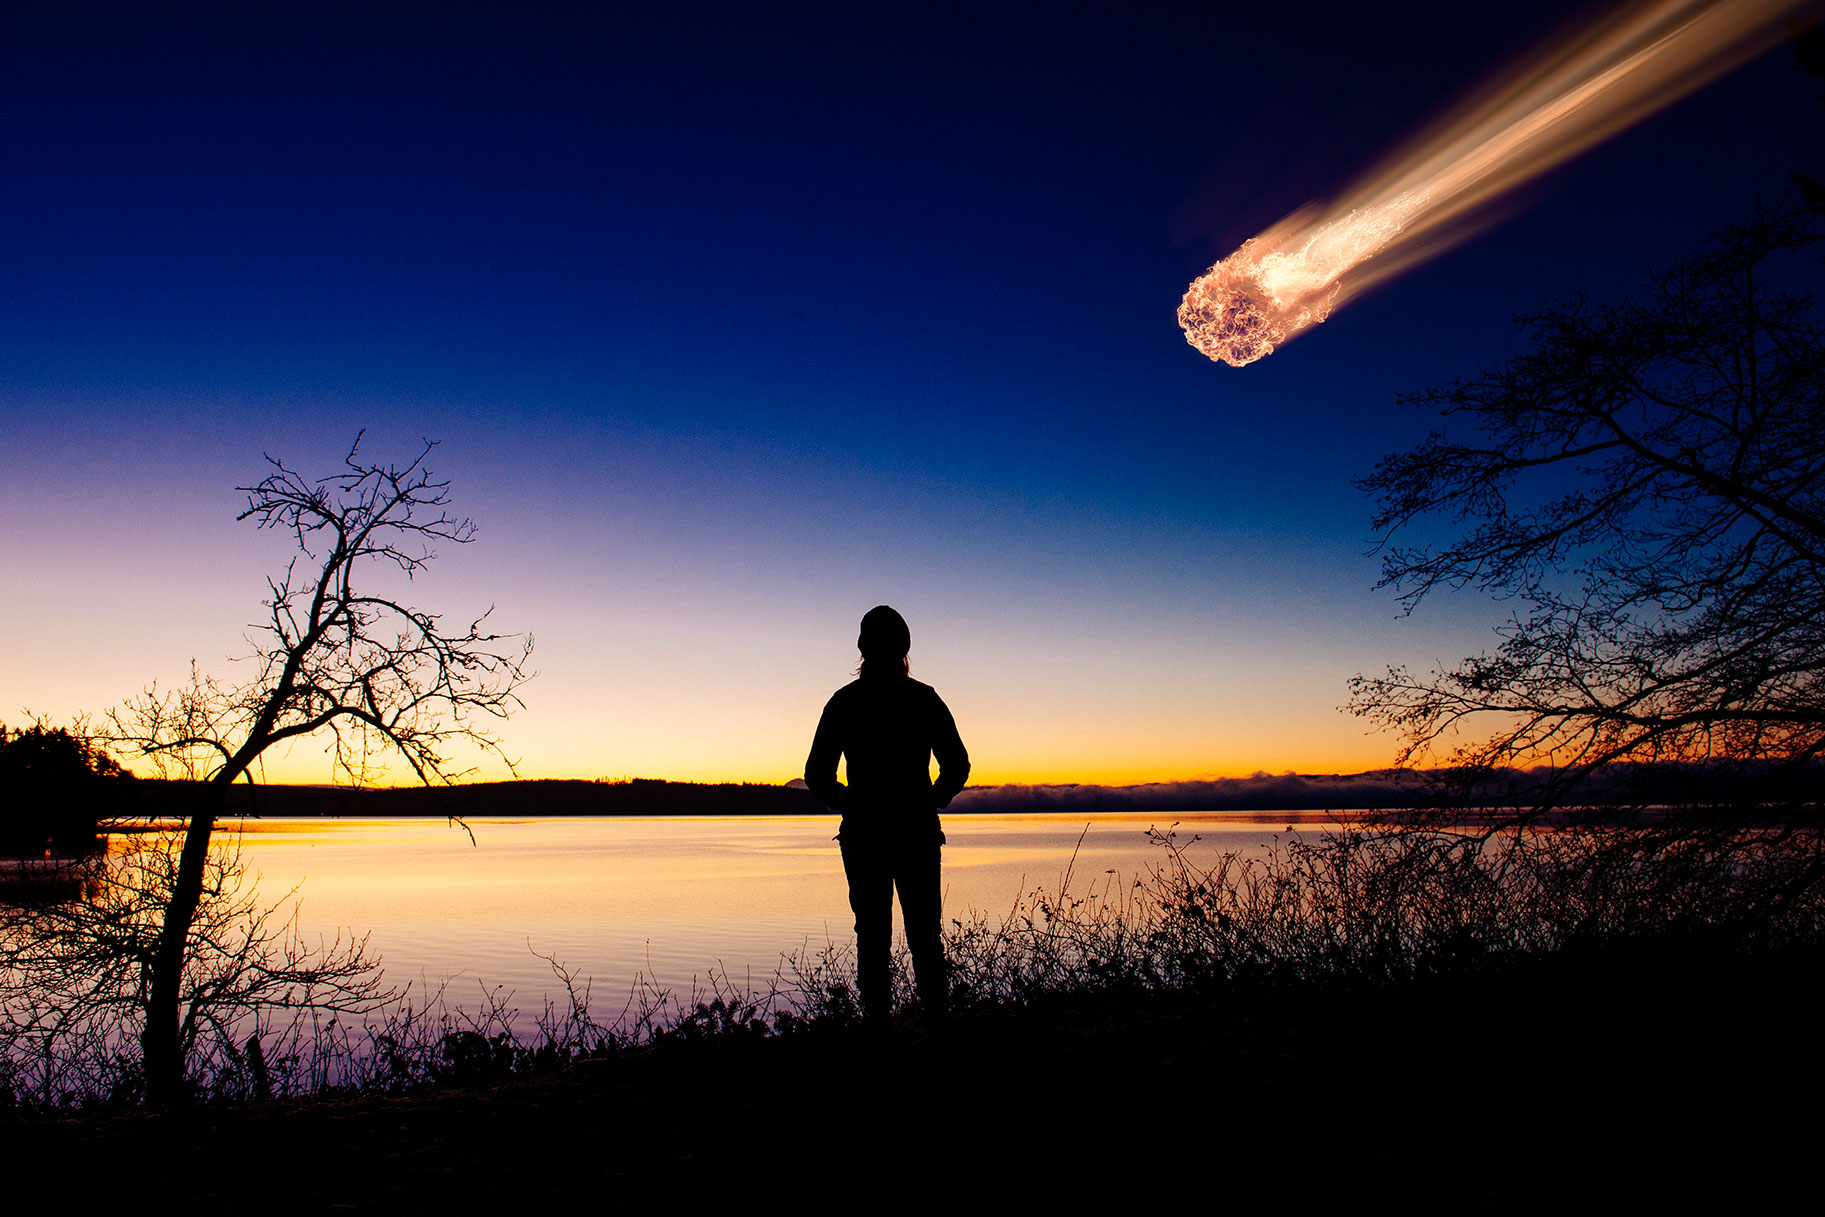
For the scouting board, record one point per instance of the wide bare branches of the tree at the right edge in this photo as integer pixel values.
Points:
(1647, 486)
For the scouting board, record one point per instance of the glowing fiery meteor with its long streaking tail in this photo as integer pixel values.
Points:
(1421, 200)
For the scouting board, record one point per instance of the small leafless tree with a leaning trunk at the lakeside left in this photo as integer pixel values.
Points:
(335, 656)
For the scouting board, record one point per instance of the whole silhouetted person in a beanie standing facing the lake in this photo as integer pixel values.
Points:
(890, 727)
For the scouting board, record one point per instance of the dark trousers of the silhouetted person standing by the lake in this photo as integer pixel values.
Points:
(877, 864)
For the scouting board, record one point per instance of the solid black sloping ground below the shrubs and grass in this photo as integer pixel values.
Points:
(1569, 1085)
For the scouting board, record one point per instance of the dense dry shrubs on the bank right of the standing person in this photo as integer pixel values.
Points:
(1384, 904)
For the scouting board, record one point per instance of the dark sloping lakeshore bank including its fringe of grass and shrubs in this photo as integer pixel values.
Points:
(1476, 1019)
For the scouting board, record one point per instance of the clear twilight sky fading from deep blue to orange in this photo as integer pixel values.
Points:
(738, 322)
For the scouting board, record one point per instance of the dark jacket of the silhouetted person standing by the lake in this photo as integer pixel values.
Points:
(888, 729)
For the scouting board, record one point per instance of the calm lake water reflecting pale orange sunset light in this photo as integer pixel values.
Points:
(665, 899)
